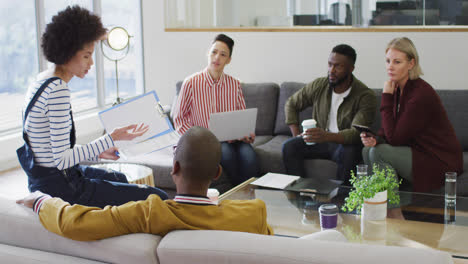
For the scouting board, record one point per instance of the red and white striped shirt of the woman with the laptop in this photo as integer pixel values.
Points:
(200, 96)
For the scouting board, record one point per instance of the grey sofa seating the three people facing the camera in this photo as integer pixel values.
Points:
(272, 131)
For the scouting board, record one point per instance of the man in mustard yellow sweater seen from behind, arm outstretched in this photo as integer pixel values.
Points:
(196, 164)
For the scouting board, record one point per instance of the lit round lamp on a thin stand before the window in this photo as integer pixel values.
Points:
(115, 47)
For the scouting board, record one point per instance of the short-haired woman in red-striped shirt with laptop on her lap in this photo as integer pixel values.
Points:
(212, 91)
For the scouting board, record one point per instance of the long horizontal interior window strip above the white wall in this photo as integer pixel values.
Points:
(293, 13)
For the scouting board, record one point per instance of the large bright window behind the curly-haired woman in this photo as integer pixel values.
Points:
(20, 63)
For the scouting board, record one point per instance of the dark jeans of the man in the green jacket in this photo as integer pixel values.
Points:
(295, 151)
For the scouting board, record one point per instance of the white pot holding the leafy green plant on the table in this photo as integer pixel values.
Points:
(375, 208)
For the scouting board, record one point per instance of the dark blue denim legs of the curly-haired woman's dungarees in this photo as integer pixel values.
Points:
(90, 186)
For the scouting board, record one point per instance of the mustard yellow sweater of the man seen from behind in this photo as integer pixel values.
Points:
(152, 216)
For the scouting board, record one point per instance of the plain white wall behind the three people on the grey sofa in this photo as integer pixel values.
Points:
(292, 56)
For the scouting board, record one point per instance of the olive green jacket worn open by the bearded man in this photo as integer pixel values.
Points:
(359, 107)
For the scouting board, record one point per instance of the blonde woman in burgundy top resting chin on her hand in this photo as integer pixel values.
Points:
(416, 138)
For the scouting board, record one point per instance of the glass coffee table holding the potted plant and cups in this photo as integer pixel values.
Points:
(425, 221)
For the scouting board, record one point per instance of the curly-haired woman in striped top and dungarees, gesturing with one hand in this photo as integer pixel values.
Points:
(50, 156)
